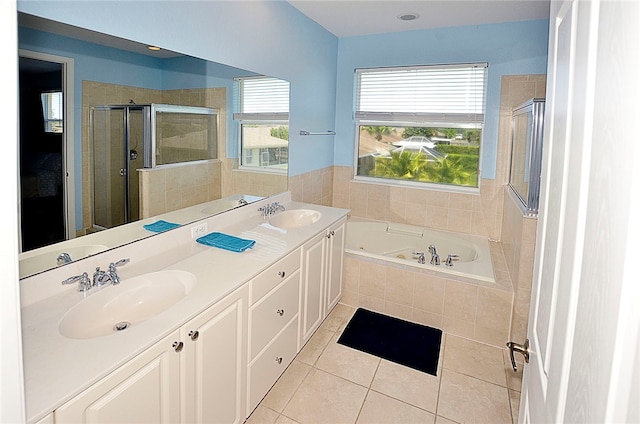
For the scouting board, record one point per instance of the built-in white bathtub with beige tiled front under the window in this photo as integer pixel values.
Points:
(472, 299)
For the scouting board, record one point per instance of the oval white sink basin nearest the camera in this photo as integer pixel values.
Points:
(115, 308)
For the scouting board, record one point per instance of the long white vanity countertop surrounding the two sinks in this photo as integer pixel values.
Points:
(58, 368)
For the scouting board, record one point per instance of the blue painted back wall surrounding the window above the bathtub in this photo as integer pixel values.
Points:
(510, 49)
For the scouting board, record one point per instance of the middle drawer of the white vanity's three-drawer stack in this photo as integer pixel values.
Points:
(269, 316)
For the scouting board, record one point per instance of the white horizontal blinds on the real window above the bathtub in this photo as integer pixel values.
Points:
(449, 93)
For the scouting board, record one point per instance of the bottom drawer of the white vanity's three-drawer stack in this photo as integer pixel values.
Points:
(267, 368)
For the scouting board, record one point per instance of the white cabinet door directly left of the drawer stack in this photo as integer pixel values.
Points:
(215, 362)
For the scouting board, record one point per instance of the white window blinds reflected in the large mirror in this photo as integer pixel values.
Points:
(263, 98)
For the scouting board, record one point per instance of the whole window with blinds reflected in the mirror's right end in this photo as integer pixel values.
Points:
(263, 118)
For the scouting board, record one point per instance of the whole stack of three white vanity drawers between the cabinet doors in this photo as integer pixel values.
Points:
(273, 325)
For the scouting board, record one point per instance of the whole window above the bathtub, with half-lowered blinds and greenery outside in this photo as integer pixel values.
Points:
(420, 126)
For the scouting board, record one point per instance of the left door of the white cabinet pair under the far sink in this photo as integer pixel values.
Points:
(312, 310)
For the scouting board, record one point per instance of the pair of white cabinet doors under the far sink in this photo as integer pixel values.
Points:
(322, 261)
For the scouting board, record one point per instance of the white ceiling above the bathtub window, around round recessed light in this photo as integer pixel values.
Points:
(347, 18)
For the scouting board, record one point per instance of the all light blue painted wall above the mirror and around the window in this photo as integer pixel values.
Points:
(273, 38)
